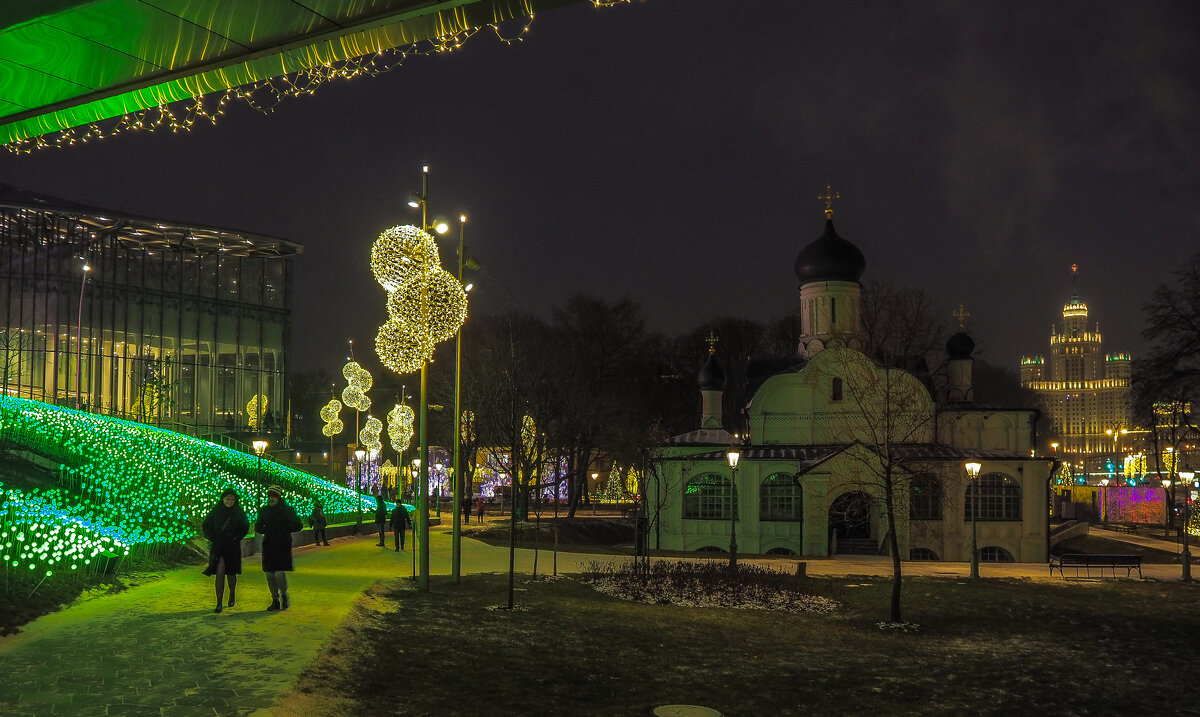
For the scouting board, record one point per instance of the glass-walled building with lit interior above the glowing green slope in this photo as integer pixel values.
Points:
(184, 327)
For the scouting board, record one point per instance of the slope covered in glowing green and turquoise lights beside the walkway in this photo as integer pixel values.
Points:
(128, 484)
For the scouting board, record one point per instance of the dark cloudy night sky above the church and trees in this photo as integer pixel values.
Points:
(673, 152)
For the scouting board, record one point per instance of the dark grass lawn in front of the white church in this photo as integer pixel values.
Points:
(1013, 648)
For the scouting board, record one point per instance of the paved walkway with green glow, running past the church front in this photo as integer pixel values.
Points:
(159, 649)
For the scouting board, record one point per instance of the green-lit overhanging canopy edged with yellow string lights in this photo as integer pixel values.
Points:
(70, 63)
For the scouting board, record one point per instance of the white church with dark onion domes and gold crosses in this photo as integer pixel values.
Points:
(833, 447)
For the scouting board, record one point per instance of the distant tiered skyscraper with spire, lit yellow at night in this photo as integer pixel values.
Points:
(1084, 390)
